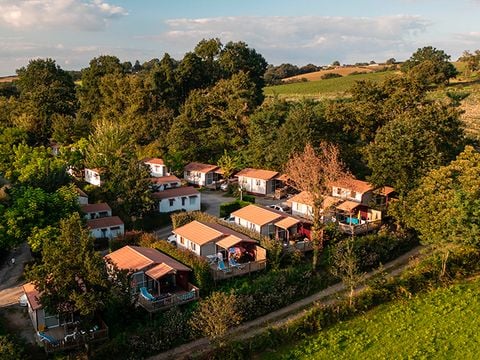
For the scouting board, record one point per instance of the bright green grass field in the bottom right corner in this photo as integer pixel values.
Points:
(444, 324)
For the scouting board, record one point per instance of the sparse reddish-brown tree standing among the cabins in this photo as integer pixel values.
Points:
(314, 171)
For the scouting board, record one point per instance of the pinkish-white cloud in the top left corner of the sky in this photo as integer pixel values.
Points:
(78, 14)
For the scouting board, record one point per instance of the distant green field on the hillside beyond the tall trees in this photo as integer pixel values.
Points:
(328, 88)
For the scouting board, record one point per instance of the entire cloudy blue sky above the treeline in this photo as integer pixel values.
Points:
(299, 32)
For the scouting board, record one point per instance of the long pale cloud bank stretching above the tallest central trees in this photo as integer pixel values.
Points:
(317, 39)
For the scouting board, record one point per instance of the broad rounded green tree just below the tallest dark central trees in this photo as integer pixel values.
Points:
(213, 120)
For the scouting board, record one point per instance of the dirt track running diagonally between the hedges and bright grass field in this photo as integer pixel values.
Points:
(282, 316)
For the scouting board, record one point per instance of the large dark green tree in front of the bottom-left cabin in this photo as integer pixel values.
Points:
(72, 276)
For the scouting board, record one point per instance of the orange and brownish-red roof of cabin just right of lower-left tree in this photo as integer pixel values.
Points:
(138, 258)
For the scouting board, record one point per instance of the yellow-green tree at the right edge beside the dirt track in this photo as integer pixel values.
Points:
(445, 207)
